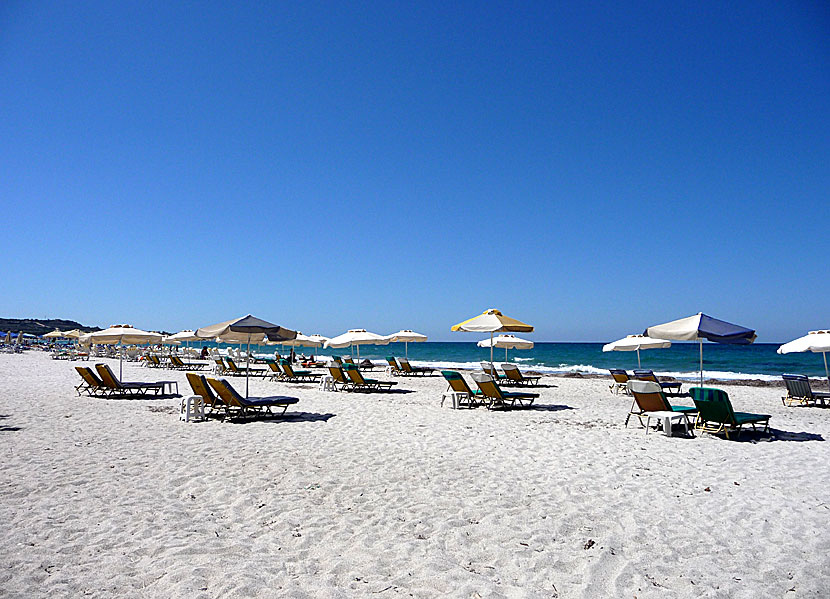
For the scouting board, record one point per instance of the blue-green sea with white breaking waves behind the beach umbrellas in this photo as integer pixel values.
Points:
(681, 360)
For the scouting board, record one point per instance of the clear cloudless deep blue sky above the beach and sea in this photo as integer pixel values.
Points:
(586, 167)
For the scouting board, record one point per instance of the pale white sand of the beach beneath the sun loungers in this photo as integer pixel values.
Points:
(390, 495)
